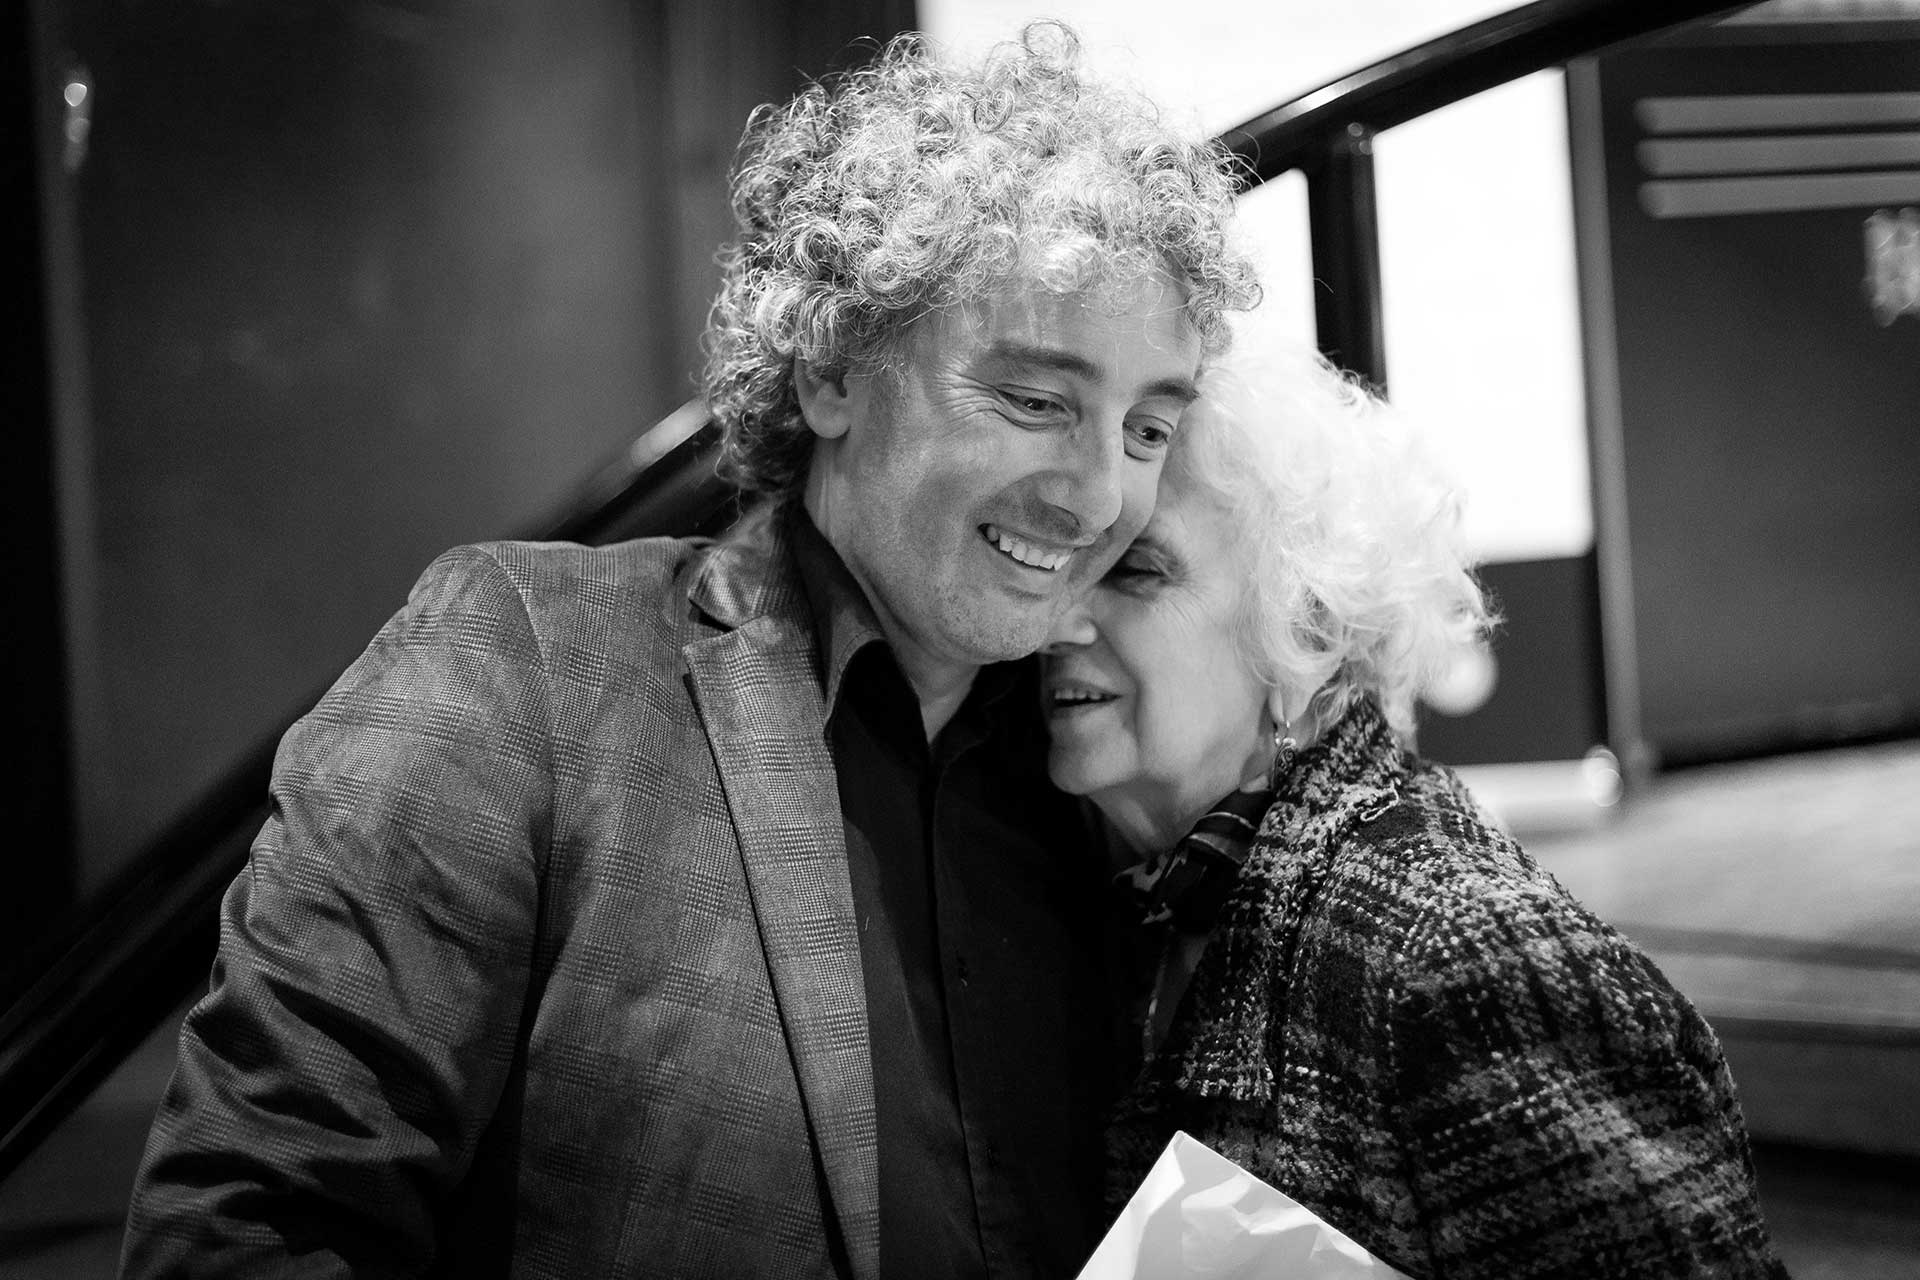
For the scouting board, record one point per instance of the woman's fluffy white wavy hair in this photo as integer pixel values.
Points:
(1349, 534)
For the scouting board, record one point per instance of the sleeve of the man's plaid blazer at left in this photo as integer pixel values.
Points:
(373, 960)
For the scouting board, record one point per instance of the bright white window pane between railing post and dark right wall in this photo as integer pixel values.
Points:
(1483, 331)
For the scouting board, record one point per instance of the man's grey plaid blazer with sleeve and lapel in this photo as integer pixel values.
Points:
(546, 959)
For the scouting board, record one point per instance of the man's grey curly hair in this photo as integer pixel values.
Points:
(911, 187)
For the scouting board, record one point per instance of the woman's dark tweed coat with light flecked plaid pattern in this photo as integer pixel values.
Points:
(1410, 1028)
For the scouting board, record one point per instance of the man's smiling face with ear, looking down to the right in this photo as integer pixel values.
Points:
(997, 475)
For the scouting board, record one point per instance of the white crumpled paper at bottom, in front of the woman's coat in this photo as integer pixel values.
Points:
(1201, 1216)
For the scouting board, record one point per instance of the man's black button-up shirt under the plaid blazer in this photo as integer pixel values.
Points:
(978, 901)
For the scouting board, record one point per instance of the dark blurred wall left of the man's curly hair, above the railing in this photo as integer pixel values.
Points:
(339, 287)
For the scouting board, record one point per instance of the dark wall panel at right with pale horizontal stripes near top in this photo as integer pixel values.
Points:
(1769, 458)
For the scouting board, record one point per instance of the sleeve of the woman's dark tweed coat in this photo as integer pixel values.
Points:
(1566, 1112)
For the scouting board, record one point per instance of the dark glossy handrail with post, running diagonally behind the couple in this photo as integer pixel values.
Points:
(124, 970)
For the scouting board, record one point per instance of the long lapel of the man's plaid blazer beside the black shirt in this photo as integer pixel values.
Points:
(759, 698)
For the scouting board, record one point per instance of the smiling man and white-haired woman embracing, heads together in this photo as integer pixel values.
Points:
(765, 907)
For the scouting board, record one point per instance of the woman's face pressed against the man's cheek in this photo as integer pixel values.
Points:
(1153, 711)
